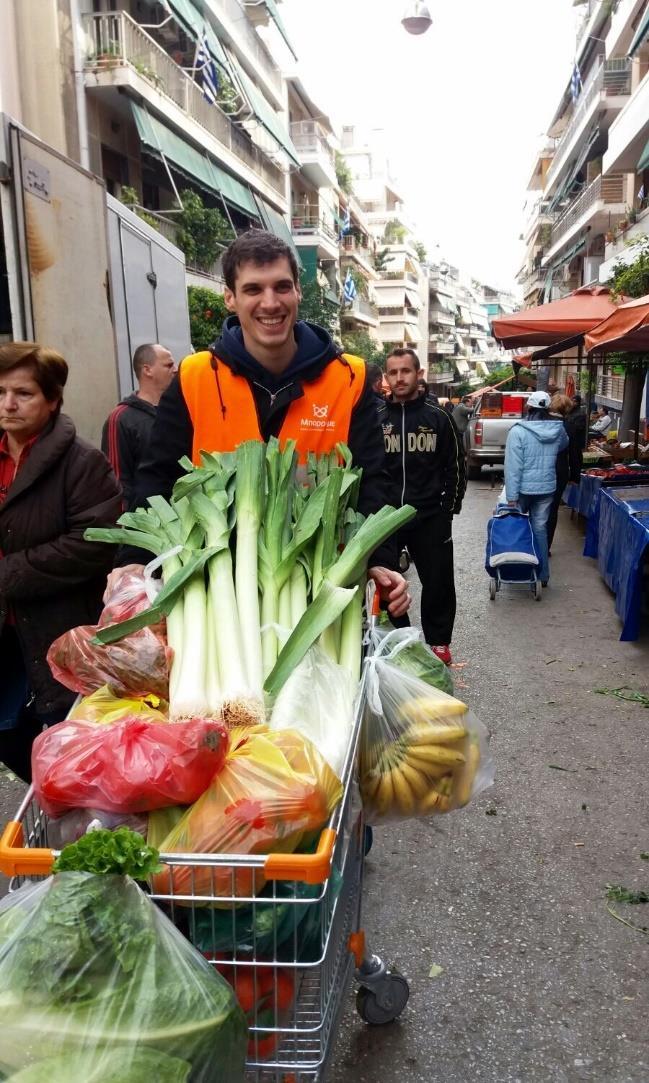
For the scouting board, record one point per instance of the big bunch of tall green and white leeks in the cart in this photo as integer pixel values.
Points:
(257, 567)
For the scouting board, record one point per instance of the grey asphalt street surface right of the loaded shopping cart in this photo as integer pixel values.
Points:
(498, 915)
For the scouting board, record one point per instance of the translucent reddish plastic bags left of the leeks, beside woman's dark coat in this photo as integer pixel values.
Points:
(136, 666)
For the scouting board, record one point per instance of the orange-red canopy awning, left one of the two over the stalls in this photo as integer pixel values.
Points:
(548, 324)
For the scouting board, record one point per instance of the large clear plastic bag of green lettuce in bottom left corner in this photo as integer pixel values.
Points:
(97, 986)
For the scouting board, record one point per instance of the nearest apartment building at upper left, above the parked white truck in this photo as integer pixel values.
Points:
(121, 87)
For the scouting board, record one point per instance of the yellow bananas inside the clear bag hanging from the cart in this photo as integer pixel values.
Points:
(430, 766)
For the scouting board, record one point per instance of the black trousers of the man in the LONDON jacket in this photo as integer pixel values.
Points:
(431, 544)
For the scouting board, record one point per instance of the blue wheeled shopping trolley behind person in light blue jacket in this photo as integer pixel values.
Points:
(512, 556)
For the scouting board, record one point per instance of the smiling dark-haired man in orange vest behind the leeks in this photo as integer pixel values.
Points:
(272, 375)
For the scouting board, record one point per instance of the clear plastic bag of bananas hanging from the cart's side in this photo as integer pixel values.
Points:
(422, 752)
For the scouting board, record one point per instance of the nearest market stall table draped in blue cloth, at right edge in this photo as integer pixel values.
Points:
(620, 543)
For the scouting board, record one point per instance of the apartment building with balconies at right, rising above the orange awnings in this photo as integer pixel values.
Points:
(591, 177)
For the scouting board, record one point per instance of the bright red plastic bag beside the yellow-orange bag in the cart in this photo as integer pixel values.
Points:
(133, 766)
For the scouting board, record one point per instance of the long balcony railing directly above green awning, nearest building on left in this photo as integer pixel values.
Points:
(116, 41)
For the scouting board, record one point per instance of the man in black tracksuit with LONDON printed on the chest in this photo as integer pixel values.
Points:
(426, 463)
